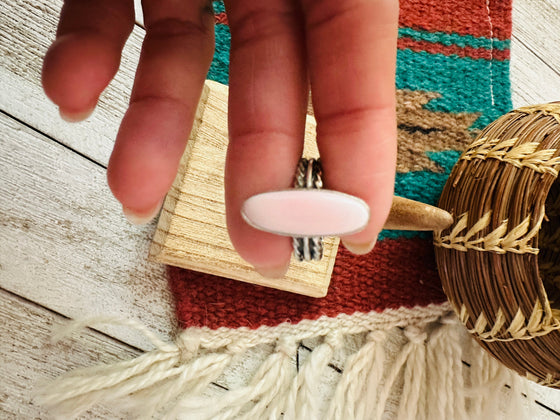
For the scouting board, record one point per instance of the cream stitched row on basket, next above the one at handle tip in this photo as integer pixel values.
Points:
(522, 156)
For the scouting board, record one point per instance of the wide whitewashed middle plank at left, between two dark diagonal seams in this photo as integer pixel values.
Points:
(64, 243)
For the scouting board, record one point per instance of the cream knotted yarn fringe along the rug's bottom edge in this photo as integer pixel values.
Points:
(404, 370)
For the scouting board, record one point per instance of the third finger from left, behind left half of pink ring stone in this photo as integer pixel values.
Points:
(268, 99)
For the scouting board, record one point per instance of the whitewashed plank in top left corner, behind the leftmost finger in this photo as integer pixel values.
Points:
(27, 30)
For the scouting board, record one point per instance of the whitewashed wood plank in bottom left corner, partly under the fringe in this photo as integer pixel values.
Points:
(29, 359)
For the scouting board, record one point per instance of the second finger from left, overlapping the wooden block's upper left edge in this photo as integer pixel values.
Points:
(176, 55)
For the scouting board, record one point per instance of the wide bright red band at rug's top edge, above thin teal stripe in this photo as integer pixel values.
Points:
(464, 17)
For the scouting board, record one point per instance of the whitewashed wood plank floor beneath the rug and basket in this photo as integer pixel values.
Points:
(65, 249)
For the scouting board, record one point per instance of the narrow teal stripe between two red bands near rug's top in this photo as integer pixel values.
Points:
(455, 39)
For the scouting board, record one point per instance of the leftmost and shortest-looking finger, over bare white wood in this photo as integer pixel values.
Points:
(86, 53)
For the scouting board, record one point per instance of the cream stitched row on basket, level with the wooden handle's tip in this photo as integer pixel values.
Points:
(500, 240)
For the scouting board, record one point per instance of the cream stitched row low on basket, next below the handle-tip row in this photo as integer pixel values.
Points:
(519, 328)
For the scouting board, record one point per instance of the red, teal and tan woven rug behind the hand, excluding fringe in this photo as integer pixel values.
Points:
(452, 79)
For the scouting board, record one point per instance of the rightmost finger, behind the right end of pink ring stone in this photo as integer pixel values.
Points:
(352, 54)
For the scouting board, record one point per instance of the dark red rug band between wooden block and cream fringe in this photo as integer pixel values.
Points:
(398, 273)
